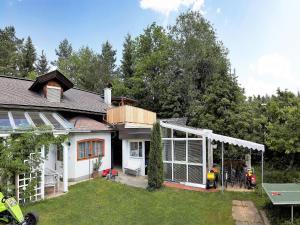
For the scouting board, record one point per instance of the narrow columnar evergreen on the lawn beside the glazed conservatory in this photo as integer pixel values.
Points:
(155, 168)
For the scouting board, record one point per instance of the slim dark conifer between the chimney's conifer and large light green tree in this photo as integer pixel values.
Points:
(128, 58)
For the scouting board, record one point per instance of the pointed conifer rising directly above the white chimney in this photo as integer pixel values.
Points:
(107, 64)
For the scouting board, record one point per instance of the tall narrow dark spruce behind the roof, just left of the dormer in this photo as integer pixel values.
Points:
(28, 58)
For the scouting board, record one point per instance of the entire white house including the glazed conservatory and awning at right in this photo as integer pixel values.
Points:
(100, 129)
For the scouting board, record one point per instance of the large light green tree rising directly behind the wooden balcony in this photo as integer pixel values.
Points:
(153, 53)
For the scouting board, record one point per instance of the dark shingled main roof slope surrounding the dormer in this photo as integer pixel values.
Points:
(15, 93)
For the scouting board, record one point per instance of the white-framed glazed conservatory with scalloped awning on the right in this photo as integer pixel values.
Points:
(188, 152)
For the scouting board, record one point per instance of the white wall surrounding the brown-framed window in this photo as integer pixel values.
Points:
(80, 169)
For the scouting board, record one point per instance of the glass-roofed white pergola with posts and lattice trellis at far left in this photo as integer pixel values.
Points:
(12, 122)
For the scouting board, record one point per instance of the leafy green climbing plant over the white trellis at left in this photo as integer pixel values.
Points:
(16, 148)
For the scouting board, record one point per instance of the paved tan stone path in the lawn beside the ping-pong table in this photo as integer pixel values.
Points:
(245, 213)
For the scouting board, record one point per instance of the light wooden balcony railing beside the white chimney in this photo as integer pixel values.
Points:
(130, 115)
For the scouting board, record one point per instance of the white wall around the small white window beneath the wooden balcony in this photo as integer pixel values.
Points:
(132, 162)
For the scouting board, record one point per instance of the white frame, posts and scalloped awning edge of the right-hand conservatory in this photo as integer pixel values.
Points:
(208, 136)
